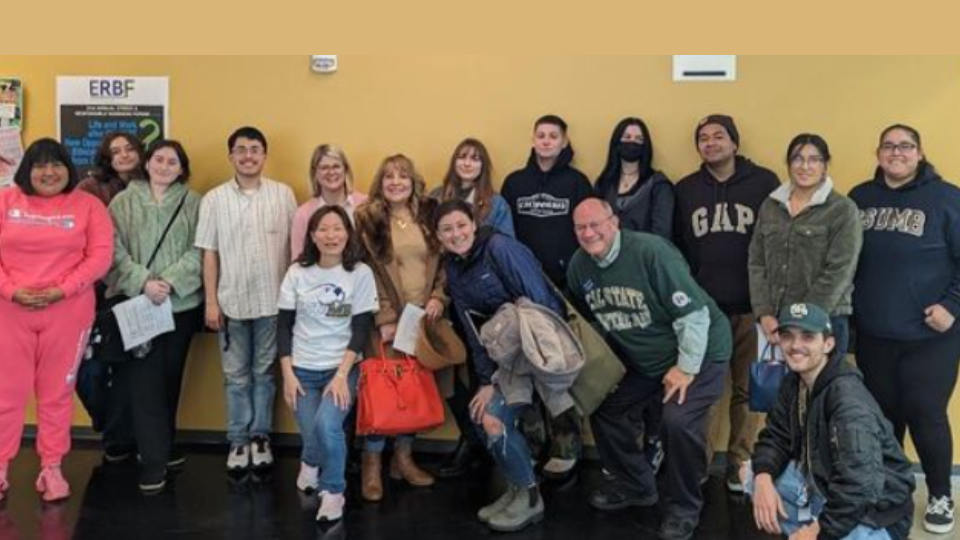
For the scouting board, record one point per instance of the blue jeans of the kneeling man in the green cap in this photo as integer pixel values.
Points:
(792, 487)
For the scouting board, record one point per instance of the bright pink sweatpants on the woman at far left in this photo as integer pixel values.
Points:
(40, 352)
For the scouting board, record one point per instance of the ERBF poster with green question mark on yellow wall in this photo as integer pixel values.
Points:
(90, 107)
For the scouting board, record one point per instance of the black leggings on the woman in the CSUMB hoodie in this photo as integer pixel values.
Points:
(913, 382)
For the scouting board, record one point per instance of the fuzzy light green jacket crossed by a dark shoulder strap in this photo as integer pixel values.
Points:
(138, 223)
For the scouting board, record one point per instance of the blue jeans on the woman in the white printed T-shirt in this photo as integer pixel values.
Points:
(321, 426)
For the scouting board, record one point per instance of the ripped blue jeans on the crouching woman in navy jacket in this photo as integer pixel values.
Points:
(510, 449)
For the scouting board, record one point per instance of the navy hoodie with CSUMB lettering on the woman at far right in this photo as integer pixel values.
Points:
(911, 255)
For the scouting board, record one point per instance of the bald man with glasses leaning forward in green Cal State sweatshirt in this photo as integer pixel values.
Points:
(675, 343)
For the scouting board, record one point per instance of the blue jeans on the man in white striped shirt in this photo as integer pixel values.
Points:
(248, 350)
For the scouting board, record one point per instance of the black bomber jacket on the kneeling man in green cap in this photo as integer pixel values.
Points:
(855, 460)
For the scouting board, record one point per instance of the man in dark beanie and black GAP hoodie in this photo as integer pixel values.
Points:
(717, 208)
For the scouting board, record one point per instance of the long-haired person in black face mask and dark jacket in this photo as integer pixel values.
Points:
(641, 196)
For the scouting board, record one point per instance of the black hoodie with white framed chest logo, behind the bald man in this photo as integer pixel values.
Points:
(542, 205)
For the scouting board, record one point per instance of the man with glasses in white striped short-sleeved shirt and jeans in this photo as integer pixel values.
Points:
(244, 230)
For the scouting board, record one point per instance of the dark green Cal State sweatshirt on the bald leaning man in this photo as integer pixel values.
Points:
(642, 299)
